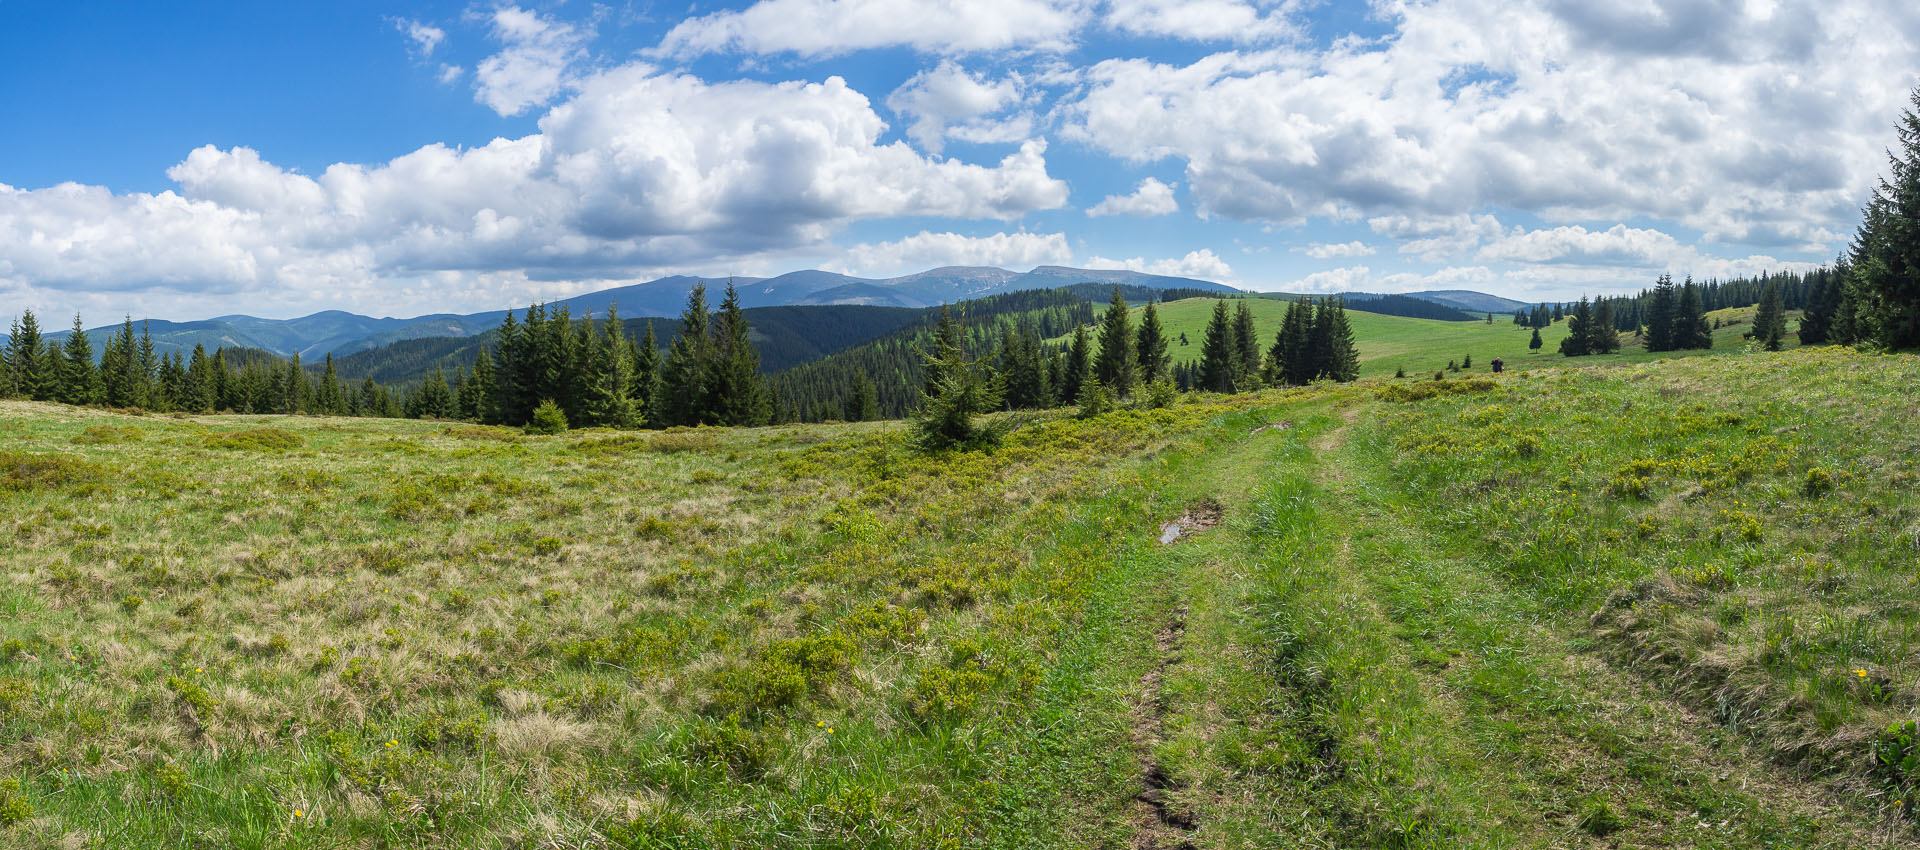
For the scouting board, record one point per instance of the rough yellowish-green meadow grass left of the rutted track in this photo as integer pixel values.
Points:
(306, 632)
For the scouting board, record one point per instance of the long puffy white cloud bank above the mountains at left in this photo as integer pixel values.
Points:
(638, 170)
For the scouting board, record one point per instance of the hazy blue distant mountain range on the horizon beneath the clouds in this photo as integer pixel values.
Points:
(341, 333)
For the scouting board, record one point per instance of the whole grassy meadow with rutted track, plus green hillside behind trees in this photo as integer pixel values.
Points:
(1664, 603)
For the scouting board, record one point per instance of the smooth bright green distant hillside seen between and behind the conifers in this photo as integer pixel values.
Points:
(1426, 346)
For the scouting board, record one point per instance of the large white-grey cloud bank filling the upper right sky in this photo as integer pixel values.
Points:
(1737, 120)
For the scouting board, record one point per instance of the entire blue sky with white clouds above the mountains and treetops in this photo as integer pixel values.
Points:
(189, 160)
